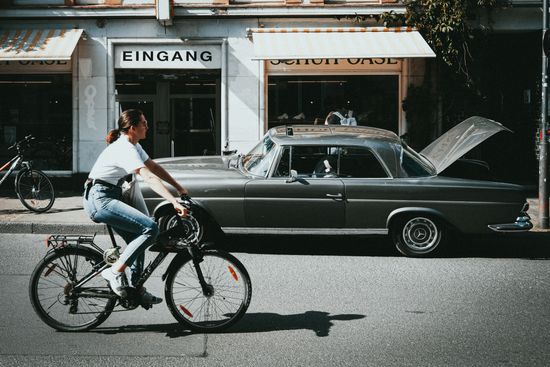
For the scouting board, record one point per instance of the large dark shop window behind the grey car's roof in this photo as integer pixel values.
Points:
(308, 99)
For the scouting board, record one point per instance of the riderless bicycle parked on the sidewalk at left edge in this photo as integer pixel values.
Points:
(34, 189)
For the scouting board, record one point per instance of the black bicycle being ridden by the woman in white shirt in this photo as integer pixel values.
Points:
(206, 290)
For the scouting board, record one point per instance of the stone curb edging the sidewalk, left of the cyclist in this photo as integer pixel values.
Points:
(49, 228)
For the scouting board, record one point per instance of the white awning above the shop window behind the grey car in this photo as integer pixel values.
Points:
(337, 43)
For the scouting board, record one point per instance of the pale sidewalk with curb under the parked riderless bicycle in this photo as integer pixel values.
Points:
(67, 216)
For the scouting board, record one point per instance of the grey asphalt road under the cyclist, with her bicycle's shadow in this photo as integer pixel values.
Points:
(330, 302)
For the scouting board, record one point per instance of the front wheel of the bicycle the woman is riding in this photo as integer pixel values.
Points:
(228, 298)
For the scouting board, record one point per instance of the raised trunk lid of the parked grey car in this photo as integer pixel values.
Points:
(456, 142)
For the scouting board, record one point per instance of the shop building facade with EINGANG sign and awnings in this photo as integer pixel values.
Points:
(210, 76)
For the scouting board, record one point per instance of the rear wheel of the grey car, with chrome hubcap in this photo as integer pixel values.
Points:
(418, 236)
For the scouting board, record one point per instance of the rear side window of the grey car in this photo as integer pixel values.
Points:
(360, 163)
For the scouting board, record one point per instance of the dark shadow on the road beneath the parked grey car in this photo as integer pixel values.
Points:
(530, 245)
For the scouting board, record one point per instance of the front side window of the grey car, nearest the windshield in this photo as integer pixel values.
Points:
(308, 161)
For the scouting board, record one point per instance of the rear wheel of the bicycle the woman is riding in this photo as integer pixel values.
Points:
(54, 299)
